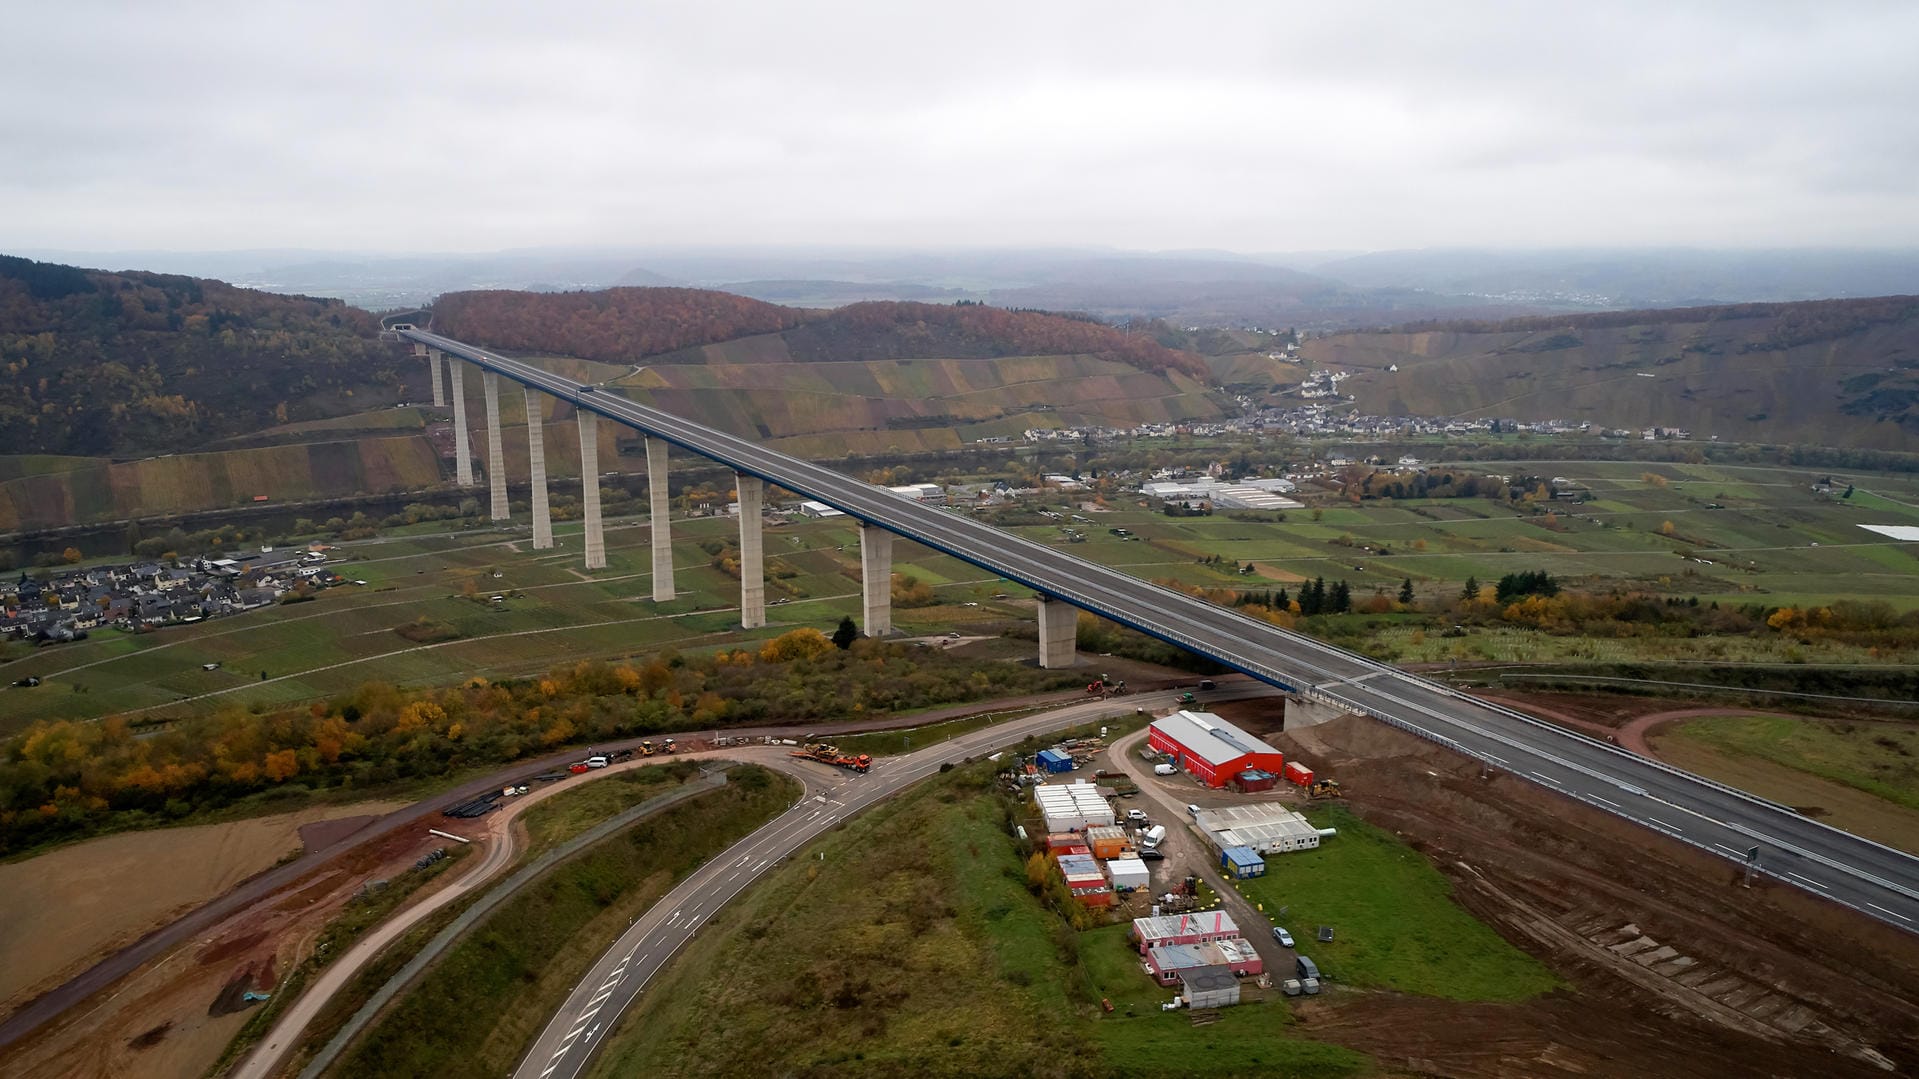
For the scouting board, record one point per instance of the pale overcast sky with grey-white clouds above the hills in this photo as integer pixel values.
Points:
(1254, 128)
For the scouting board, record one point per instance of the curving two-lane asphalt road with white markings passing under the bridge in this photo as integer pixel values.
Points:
(577, 1032)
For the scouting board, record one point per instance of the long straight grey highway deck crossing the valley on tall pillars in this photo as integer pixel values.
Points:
(1795, 850)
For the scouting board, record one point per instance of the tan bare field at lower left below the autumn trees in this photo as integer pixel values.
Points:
(66, 909)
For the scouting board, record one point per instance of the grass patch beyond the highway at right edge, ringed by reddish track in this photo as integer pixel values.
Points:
(1880, 759)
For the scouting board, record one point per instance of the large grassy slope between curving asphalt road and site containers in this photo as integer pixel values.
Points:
(907, 944)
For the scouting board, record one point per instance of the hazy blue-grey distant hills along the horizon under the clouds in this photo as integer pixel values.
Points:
(1310, 291)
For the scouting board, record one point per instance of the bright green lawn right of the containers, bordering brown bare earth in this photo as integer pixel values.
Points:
(1394, 919)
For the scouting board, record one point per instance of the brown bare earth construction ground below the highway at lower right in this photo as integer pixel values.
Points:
(1674, 967)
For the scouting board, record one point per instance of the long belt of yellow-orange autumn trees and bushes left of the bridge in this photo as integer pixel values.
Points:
(62, 780)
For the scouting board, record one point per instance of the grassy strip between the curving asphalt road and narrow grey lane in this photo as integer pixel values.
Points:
(509, 972)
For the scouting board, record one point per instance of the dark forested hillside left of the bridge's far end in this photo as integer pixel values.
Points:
(130, 364)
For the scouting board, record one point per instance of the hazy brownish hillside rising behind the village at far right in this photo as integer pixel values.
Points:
(1822, 373)
